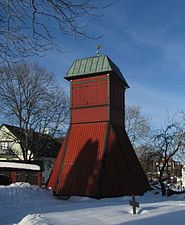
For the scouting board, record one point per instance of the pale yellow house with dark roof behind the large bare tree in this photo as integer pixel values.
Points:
(10, 148)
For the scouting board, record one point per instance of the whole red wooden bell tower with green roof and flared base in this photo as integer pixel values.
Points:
(97, 158)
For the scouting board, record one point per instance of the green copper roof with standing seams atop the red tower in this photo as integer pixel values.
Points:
(94, 65)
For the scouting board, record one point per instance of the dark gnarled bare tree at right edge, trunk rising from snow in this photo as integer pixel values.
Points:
(168, 143)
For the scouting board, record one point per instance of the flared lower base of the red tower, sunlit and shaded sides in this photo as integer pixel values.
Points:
(97, 160)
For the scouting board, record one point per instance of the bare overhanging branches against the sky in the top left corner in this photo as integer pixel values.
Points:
(29, 27)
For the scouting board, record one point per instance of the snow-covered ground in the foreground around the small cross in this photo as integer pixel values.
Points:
(22, 204)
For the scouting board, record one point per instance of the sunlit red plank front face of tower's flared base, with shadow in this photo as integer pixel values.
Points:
(80, 172)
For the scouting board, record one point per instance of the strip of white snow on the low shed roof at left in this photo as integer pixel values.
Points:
(19, 166)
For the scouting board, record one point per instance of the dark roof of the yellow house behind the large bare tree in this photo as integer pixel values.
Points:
(47, 145)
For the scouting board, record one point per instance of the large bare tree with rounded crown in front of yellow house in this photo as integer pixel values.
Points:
(31, 100)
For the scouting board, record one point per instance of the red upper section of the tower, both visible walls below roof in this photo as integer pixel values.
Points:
(97, 99)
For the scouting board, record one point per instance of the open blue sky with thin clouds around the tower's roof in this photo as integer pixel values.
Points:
(146, 40)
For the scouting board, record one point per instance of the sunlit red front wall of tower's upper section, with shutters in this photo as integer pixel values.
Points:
(90, 99)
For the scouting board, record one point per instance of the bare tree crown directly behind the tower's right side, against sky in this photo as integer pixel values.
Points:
(137, 125)
